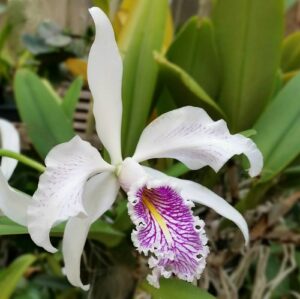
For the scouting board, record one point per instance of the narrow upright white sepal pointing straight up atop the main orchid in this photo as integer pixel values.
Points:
(105, 81)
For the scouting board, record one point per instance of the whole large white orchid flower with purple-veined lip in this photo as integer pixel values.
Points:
(79, 186)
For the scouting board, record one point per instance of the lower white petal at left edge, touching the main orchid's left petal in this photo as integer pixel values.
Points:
(13, 203)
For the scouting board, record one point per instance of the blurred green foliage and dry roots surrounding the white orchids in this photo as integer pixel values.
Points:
(238, 59)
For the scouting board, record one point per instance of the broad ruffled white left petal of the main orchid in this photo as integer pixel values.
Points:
(60, 189)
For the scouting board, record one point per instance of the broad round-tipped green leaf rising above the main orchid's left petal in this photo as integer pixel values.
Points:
(45, 120)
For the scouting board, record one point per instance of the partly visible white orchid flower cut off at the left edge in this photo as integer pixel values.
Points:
(13, 204)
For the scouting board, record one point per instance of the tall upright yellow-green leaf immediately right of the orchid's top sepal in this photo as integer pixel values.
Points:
(143, 33)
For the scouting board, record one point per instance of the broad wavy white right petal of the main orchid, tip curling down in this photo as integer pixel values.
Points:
(189, 135)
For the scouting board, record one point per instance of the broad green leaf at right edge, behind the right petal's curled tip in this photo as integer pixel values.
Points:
(278, 130)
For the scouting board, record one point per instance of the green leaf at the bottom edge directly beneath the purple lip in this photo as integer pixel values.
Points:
(176, 289)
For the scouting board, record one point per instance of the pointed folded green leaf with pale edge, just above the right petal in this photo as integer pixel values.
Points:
(182, 87)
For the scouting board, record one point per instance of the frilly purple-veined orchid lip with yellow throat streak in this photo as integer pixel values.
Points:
(167, 229)
